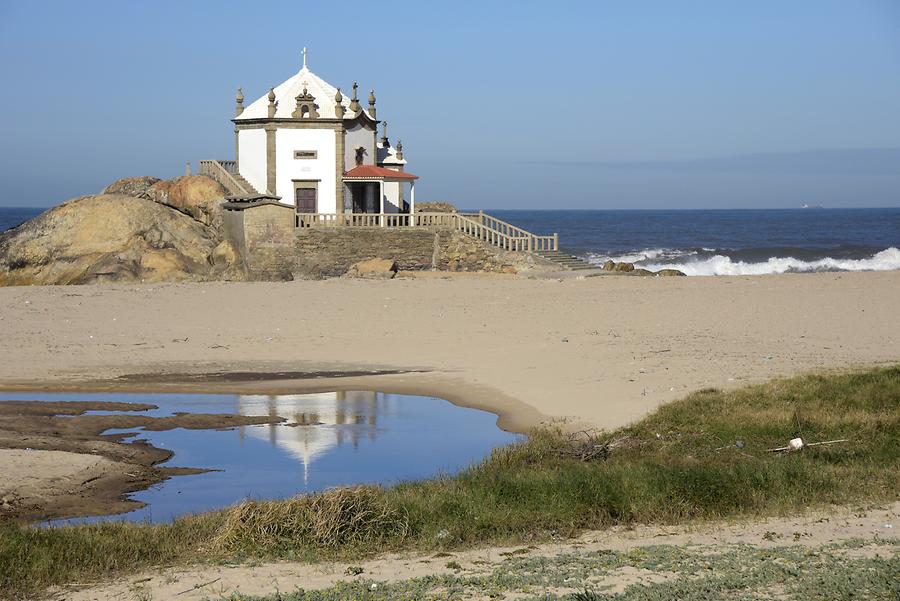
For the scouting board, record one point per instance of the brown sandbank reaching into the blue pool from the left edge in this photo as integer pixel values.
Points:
(56, 463)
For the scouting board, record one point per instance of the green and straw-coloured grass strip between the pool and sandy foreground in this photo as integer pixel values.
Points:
(703, 457)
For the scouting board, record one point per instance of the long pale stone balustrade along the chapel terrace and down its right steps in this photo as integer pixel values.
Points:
(477, 225)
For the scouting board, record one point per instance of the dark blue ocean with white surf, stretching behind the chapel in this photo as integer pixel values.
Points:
(714, 242)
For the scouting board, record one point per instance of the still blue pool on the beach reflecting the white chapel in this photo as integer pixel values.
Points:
(329, 439)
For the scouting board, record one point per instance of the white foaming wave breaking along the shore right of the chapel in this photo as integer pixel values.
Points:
(885, 260)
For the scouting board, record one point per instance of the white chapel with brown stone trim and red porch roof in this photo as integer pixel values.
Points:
(305, 144)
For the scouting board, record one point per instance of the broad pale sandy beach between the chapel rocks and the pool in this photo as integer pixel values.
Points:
(585, 353)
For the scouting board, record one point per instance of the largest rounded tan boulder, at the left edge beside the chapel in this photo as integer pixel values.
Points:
(107, 237)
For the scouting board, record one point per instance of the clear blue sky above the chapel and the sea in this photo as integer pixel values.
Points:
(628, 104)
